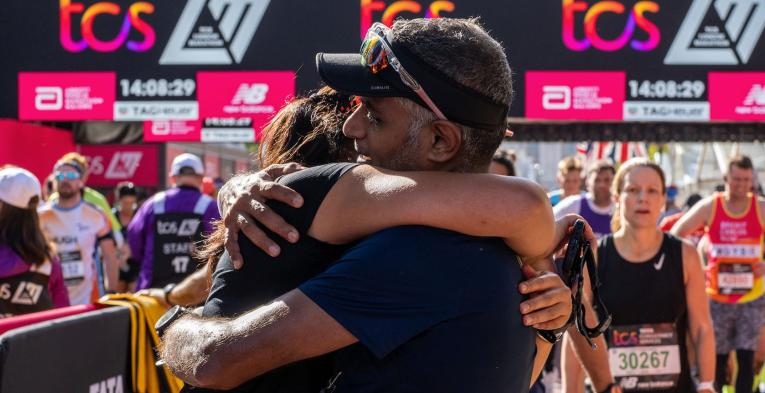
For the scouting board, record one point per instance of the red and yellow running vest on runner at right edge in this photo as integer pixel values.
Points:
(735, 246)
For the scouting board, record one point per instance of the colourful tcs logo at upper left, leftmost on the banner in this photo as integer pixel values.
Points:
(132, 20)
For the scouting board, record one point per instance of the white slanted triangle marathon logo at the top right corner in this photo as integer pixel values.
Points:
(708, 43)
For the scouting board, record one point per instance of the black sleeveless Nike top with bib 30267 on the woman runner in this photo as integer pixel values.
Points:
(648, 303)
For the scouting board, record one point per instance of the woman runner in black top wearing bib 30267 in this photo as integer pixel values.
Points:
(653, 284)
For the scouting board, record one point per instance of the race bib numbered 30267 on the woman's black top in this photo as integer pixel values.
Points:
(644, 357)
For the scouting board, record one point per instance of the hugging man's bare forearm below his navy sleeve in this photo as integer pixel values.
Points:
(222, 354)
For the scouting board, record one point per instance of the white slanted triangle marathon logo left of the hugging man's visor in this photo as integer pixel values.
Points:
(225, 42)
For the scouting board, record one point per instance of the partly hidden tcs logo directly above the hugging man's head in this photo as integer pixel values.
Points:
(390, 12)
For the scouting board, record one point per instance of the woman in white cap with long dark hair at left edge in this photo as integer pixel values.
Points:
(30, 279)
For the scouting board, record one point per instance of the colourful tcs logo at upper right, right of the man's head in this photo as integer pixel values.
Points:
(637, 19)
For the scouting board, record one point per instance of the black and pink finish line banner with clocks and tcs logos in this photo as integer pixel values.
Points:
(128, 60)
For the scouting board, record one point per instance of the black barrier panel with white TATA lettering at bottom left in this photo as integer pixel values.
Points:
(82, 353)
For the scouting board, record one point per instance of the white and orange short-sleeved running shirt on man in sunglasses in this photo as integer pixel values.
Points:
(75, 233)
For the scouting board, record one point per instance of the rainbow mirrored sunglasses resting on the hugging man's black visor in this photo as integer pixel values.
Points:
(377, 54)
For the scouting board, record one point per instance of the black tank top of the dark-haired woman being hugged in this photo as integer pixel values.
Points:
(264, 278)
